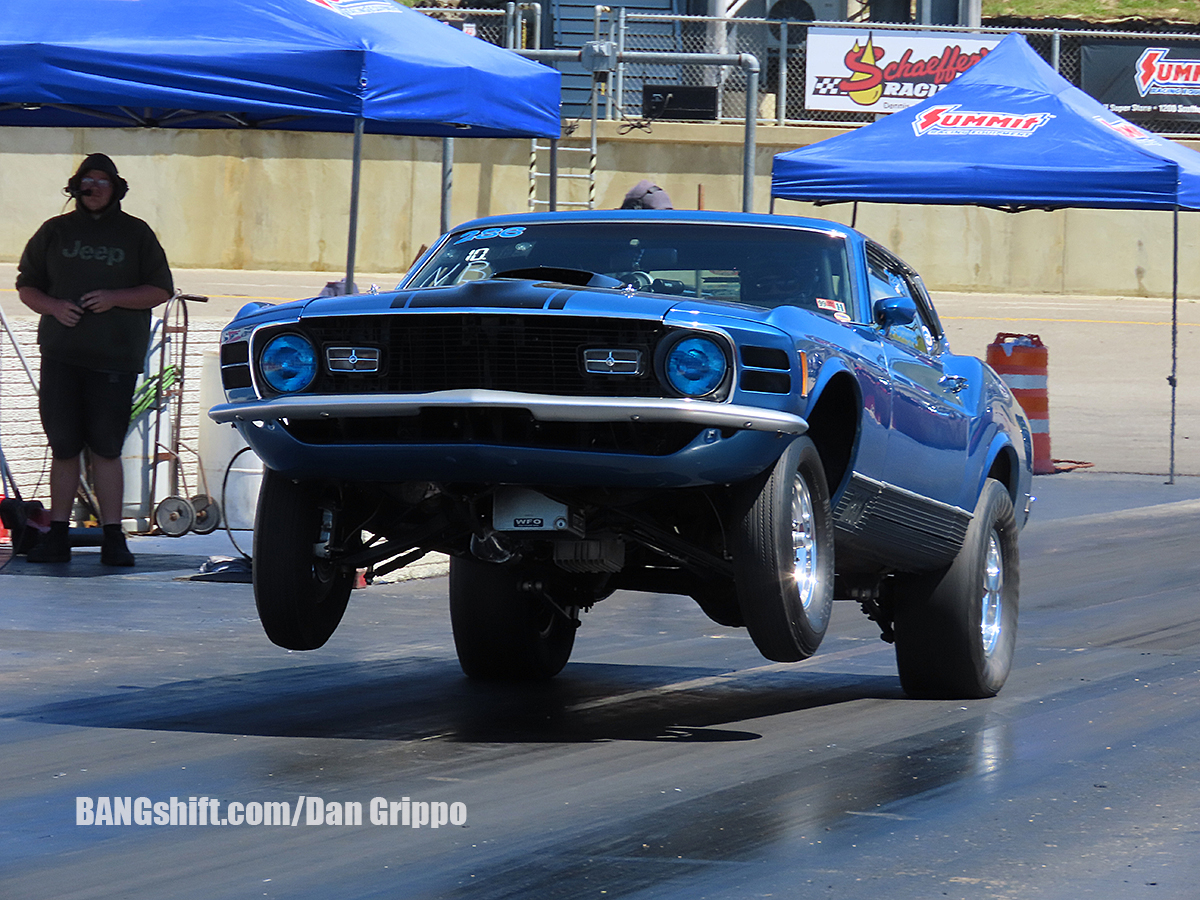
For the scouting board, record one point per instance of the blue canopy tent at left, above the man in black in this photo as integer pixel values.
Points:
(299, 65)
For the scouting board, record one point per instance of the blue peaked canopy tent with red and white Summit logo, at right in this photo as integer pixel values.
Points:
(1010, 134)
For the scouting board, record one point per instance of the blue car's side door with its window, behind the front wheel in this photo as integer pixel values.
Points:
(931, 395)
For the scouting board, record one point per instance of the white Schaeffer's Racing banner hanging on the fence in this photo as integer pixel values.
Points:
(855, 71)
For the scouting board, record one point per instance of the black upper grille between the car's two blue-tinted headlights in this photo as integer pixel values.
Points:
(535, 355)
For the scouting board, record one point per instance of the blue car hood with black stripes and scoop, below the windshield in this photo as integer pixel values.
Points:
(513, 295)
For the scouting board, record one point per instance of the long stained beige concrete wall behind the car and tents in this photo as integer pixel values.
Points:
(227, 200)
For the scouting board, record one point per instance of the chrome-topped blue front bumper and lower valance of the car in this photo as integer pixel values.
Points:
(734, 442)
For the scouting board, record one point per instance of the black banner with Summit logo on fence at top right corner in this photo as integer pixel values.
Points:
(1144, 81)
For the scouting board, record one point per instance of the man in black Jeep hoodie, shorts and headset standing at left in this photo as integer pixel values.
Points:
(94, 275)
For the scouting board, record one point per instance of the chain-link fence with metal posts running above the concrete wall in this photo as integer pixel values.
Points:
(781, 49)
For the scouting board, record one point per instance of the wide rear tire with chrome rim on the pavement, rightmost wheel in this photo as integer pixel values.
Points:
(956, 629)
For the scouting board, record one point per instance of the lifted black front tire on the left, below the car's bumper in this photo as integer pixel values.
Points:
(299, 595)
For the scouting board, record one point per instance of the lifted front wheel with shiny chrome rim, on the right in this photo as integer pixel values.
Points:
(783, 556)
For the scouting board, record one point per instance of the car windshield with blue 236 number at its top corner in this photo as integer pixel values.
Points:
(759, 266)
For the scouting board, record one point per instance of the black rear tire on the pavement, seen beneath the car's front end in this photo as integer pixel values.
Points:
(503, 631)
